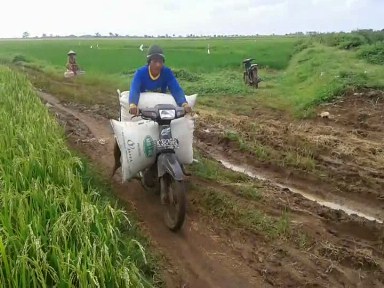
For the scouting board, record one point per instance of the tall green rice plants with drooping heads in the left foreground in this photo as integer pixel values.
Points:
(56, 228)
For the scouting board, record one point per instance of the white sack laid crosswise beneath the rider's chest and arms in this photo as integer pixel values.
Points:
(149, 100)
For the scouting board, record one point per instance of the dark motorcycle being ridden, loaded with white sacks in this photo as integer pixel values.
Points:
(166, 176)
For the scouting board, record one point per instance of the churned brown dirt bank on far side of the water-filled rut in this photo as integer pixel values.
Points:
(339, 159)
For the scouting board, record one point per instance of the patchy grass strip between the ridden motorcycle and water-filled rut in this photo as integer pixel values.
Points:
(235, 199)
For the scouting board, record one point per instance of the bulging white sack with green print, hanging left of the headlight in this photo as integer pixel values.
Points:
(137, 143)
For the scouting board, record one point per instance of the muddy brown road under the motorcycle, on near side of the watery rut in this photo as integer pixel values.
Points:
(326, 248)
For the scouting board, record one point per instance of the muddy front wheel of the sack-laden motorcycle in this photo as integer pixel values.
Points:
(173, 197)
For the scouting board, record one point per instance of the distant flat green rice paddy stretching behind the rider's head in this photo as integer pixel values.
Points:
(119, 56)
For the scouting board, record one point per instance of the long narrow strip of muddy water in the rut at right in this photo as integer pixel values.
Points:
(332, 205)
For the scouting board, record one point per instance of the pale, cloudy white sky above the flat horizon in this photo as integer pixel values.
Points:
(182, 17)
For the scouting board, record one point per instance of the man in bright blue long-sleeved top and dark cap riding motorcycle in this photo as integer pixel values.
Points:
(155, 77)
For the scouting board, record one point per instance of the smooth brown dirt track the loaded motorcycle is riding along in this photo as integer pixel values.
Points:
(197, 259)
